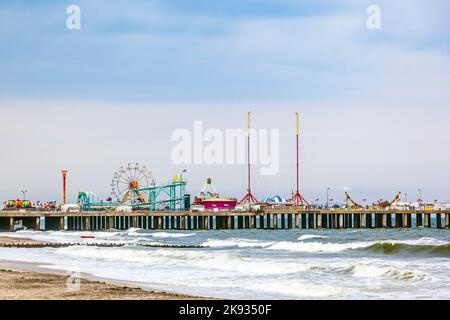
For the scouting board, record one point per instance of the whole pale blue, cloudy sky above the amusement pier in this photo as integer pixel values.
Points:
(374, 104)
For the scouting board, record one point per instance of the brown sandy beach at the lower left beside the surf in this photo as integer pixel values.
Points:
(27, 281)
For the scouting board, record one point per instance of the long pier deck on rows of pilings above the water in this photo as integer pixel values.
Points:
(183, 220)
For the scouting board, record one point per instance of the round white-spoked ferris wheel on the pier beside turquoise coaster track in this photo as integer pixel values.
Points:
(128, 181)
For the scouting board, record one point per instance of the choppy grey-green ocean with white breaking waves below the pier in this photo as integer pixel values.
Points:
(261, 264)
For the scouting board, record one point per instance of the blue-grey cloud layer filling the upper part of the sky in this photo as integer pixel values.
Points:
(165, 51)
